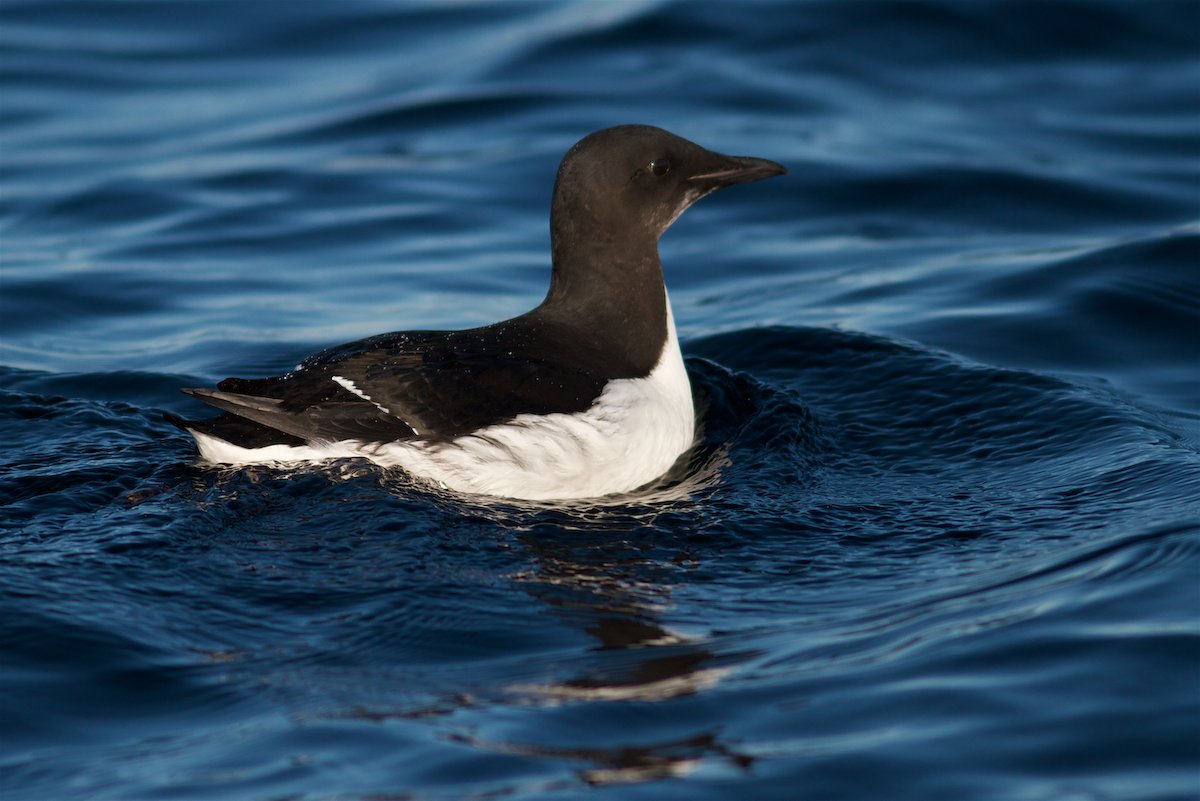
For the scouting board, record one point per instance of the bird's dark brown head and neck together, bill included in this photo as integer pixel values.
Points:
(617, 191)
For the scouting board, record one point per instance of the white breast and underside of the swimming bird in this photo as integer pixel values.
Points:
(632, 436)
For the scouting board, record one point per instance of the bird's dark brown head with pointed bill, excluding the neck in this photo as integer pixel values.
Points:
(634, 180)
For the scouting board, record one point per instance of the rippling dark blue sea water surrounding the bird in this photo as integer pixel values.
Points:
(940, 538)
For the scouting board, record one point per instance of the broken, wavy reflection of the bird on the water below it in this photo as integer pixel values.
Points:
(609, 591)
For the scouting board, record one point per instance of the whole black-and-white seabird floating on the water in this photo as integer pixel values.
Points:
(584, 396)
